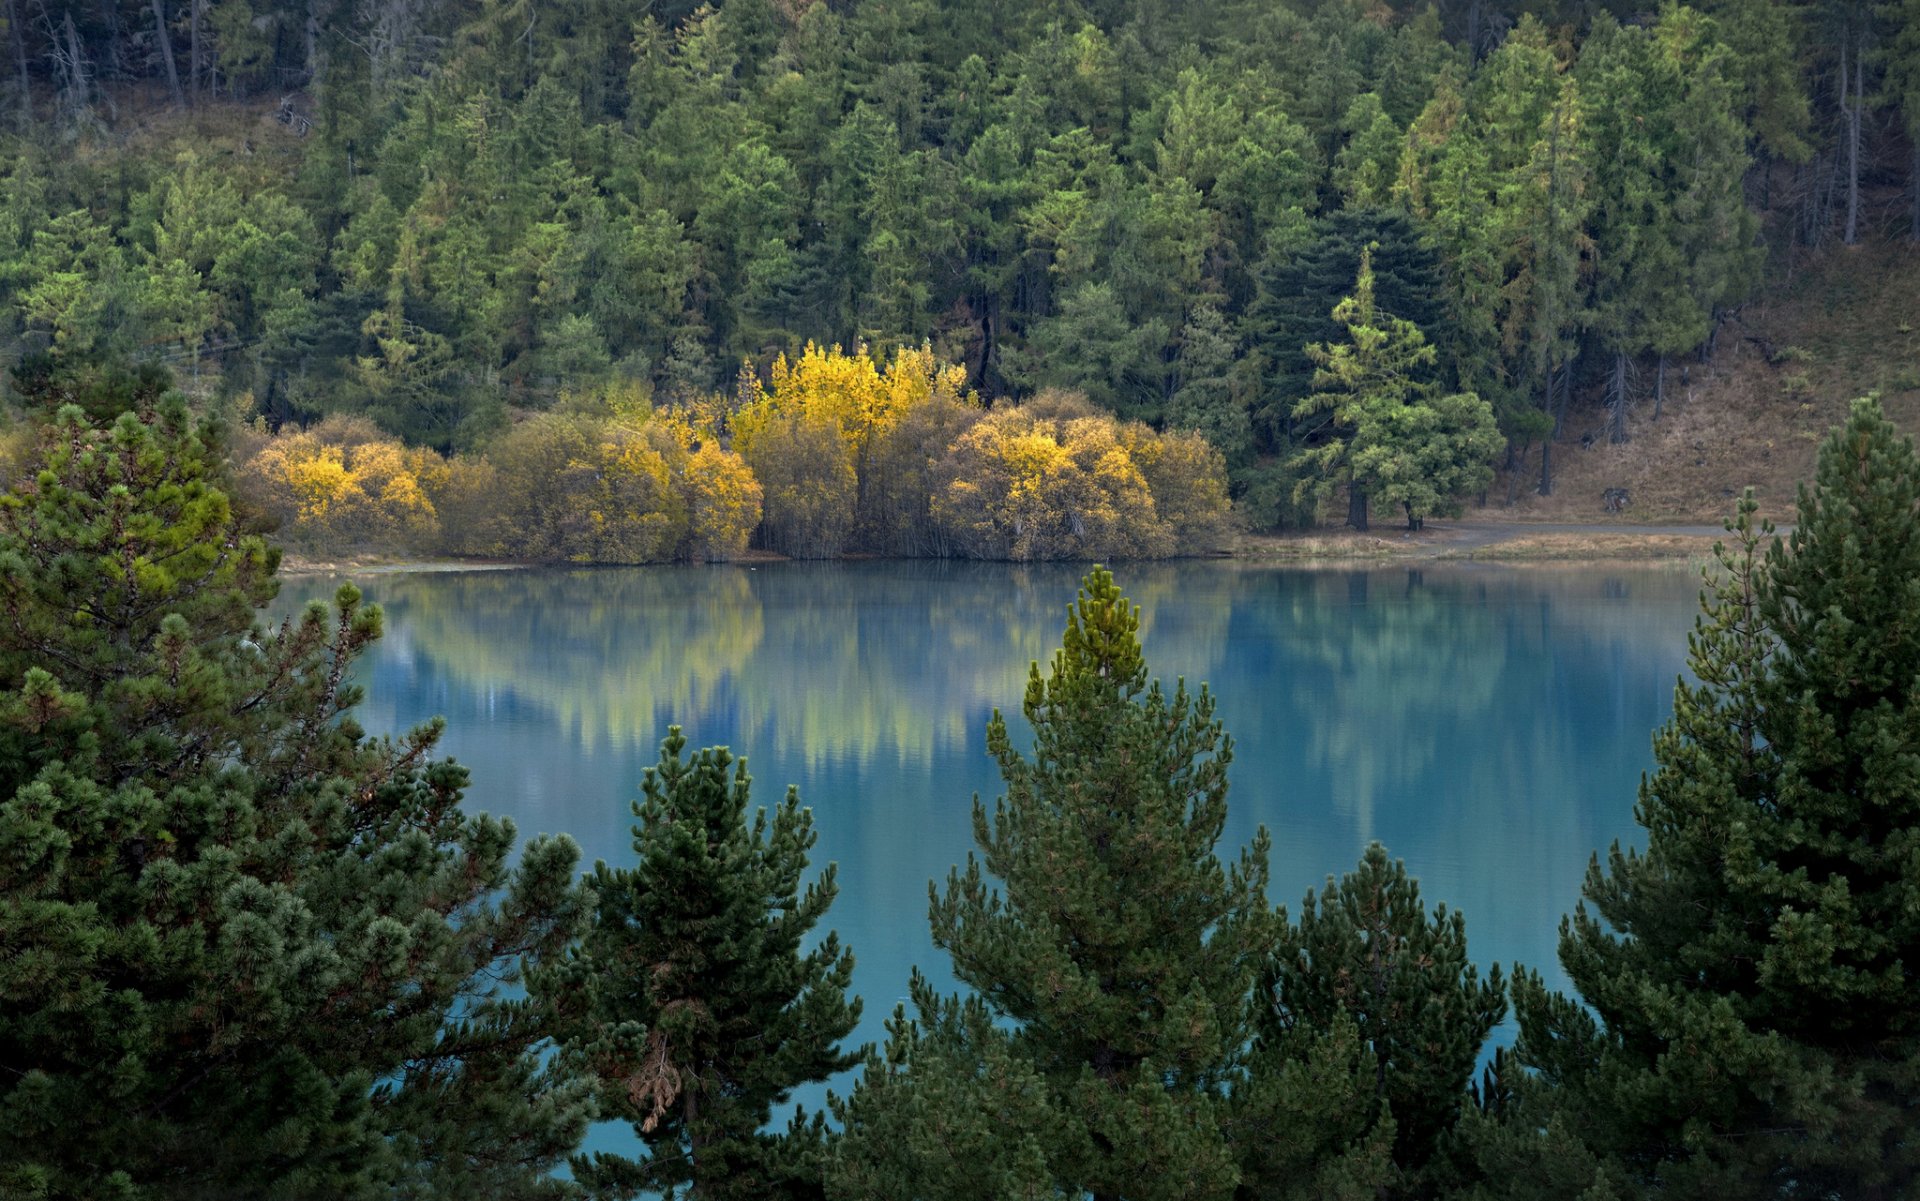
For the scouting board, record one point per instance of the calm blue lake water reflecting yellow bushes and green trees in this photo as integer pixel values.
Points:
(1487, 724)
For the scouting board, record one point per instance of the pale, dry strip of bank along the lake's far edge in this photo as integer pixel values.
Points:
(1508, 544)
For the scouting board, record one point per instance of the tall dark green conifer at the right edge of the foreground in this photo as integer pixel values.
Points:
(1750, 1020)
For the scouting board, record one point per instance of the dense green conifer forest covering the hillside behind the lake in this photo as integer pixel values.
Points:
(439, 214)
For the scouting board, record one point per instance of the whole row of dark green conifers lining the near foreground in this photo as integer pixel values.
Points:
(260, 953)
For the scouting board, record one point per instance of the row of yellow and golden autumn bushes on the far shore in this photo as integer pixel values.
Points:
(830, 454)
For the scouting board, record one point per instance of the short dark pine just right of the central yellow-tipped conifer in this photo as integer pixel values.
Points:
(1370, 953)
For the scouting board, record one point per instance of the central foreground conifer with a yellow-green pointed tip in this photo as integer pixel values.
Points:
(1113, 968)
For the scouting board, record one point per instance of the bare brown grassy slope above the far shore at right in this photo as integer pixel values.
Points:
(1831, 327)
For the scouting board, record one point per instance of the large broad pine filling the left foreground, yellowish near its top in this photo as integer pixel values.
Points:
(245, 951)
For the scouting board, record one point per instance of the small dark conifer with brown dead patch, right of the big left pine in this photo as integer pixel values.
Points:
(690, 999)
